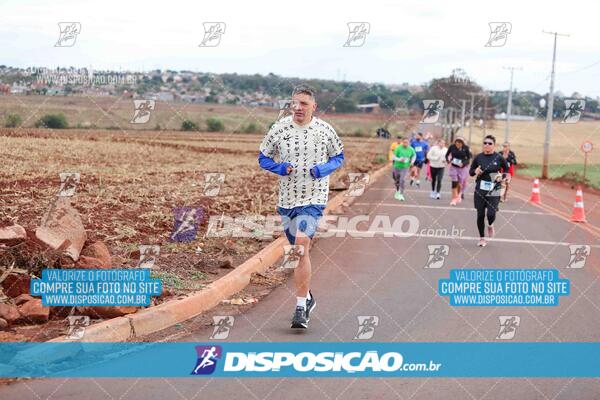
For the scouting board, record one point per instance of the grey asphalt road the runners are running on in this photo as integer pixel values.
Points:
(385, 277)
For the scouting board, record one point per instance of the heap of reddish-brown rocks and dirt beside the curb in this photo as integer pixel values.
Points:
(63, 235)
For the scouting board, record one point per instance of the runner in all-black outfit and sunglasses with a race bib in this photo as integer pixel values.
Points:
(486, 167)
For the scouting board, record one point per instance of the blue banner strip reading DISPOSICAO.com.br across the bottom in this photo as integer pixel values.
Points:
(300, 359)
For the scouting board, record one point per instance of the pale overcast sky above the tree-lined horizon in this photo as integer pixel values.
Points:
(409, 41)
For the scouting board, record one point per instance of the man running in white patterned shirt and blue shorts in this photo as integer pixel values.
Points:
(309, 150)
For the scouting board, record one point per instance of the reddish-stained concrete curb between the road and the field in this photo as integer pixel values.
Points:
(172, 312)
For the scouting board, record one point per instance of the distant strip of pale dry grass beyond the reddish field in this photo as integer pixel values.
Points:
(116, 113)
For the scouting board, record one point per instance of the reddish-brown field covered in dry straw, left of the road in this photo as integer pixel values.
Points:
(131, 182)
